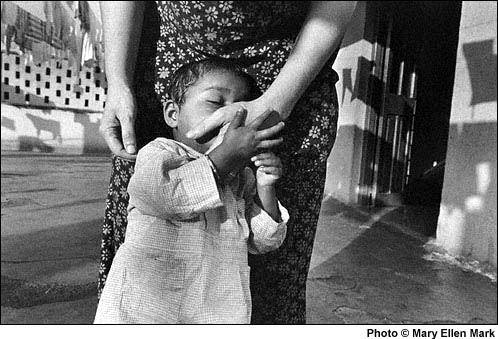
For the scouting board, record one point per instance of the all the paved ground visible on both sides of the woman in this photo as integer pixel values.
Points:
(369, 266)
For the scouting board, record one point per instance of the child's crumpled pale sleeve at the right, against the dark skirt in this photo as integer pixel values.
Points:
(266, 234)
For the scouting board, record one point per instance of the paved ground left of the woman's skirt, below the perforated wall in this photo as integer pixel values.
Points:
(52, 212)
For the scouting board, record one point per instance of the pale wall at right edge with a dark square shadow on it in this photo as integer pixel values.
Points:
(467, 220)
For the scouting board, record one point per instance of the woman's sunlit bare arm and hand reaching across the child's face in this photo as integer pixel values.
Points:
(319, 37)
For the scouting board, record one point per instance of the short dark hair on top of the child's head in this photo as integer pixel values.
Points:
(188, 74)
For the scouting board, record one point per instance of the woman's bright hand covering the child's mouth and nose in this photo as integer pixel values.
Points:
(226, 114)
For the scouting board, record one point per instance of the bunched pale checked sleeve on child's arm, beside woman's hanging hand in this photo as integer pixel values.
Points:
(170, 185)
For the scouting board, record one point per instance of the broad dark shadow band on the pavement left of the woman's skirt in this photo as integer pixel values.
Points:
(53, 265)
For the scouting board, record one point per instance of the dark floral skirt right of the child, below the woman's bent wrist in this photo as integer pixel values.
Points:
(278, 278)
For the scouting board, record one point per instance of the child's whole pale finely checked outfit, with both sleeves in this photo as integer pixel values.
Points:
(184, 259)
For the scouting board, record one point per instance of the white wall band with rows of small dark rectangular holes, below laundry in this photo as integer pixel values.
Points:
(51, 85)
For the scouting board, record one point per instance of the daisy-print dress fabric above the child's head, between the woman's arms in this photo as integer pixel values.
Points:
(256, 34)
